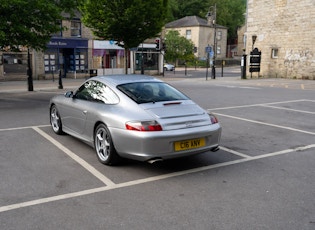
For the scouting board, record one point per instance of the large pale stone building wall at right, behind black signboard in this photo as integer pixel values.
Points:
(284, 32)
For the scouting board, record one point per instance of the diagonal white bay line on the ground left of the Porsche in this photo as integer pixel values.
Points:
(79, 160)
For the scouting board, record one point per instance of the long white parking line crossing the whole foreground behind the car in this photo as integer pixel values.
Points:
(146, 180)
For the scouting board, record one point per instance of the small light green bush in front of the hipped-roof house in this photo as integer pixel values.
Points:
(178, 47)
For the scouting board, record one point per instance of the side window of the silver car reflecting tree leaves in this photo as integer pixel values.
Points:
(97, 92)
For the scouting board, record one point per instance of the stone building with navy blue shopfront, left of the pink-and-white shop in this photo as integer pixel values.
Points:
(67, 51)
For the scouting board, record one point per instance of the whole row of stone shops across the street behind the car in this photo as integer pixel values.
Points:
(76, 53)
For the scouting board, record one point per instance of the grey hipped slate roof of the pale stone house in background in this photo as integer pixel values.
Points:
(189, 21)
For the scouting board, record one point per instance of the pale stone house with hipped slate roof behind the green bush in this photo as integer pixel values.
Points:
(201, 32)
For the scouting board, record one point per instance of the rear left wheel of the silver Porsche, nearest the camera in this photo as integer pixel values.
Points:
(104, 147)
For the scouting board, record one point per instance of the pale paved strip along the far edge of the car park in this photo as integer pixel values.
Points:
(232, 76)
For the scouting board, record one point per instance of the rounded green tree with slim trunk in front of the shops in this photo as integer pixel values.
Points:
(128, 22)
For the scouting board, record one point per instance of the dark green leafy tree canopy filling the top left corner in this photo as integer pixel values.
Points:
(30, 22)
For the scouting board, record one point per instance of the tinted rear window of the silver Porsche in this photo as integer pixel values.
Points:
(145, 92)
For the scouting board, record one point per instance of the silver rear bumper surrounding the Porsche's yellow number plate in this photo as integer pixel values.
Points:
(145, 146)
